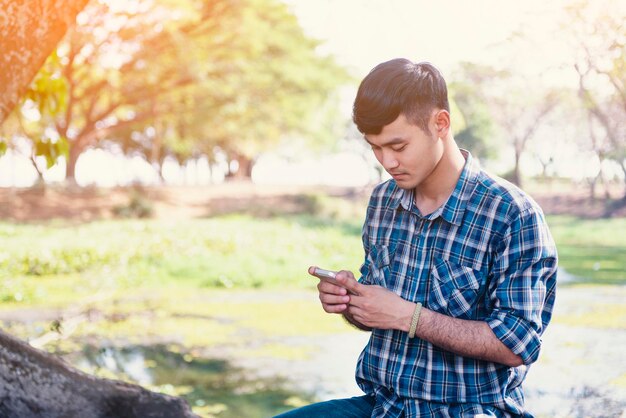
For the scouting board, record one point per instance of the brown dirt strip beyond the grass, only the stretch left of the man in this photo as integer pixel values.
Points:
(89, 204)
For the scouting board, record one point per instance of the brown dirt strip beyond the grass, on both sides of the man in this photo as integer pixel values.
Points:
(87, 204)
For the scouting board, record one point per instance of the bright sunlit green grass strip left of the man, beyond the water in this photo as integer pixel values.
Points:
(228, 252)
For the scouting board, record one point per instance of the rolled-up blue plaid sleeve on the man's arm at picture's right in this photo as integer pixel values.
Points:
(522, 284)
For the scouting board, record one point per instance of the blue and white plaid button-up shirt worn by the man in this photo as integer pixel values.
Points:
(485, 255)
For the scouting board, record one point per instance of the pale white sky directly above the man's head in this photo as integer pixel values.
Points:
(363, 33)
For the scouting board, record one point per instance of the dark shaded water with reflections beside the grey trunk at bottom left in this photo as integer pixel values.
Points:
(215, 388)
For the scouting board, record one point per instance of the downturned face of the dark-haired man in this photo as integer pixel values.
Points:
(406, 152)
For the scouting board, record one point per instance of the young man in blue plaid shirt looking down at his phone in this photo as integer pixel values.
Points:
(459, 277)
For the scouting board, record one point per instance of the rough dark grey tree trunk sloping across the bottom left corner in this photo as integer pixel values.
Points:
(36, 384)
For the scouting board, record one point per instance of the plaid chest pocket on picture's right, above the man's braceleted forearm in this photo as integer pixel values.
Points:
(454, 289)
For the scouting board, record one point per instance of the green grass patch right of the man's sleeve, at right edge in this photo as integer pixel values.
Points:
(592, 250)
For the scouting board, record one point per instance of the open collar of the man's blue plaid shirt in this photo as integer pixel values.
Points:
(452, 211)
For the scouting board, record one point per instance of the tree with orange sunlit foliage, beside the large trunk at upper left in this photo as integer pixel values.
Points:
(123, 67)
